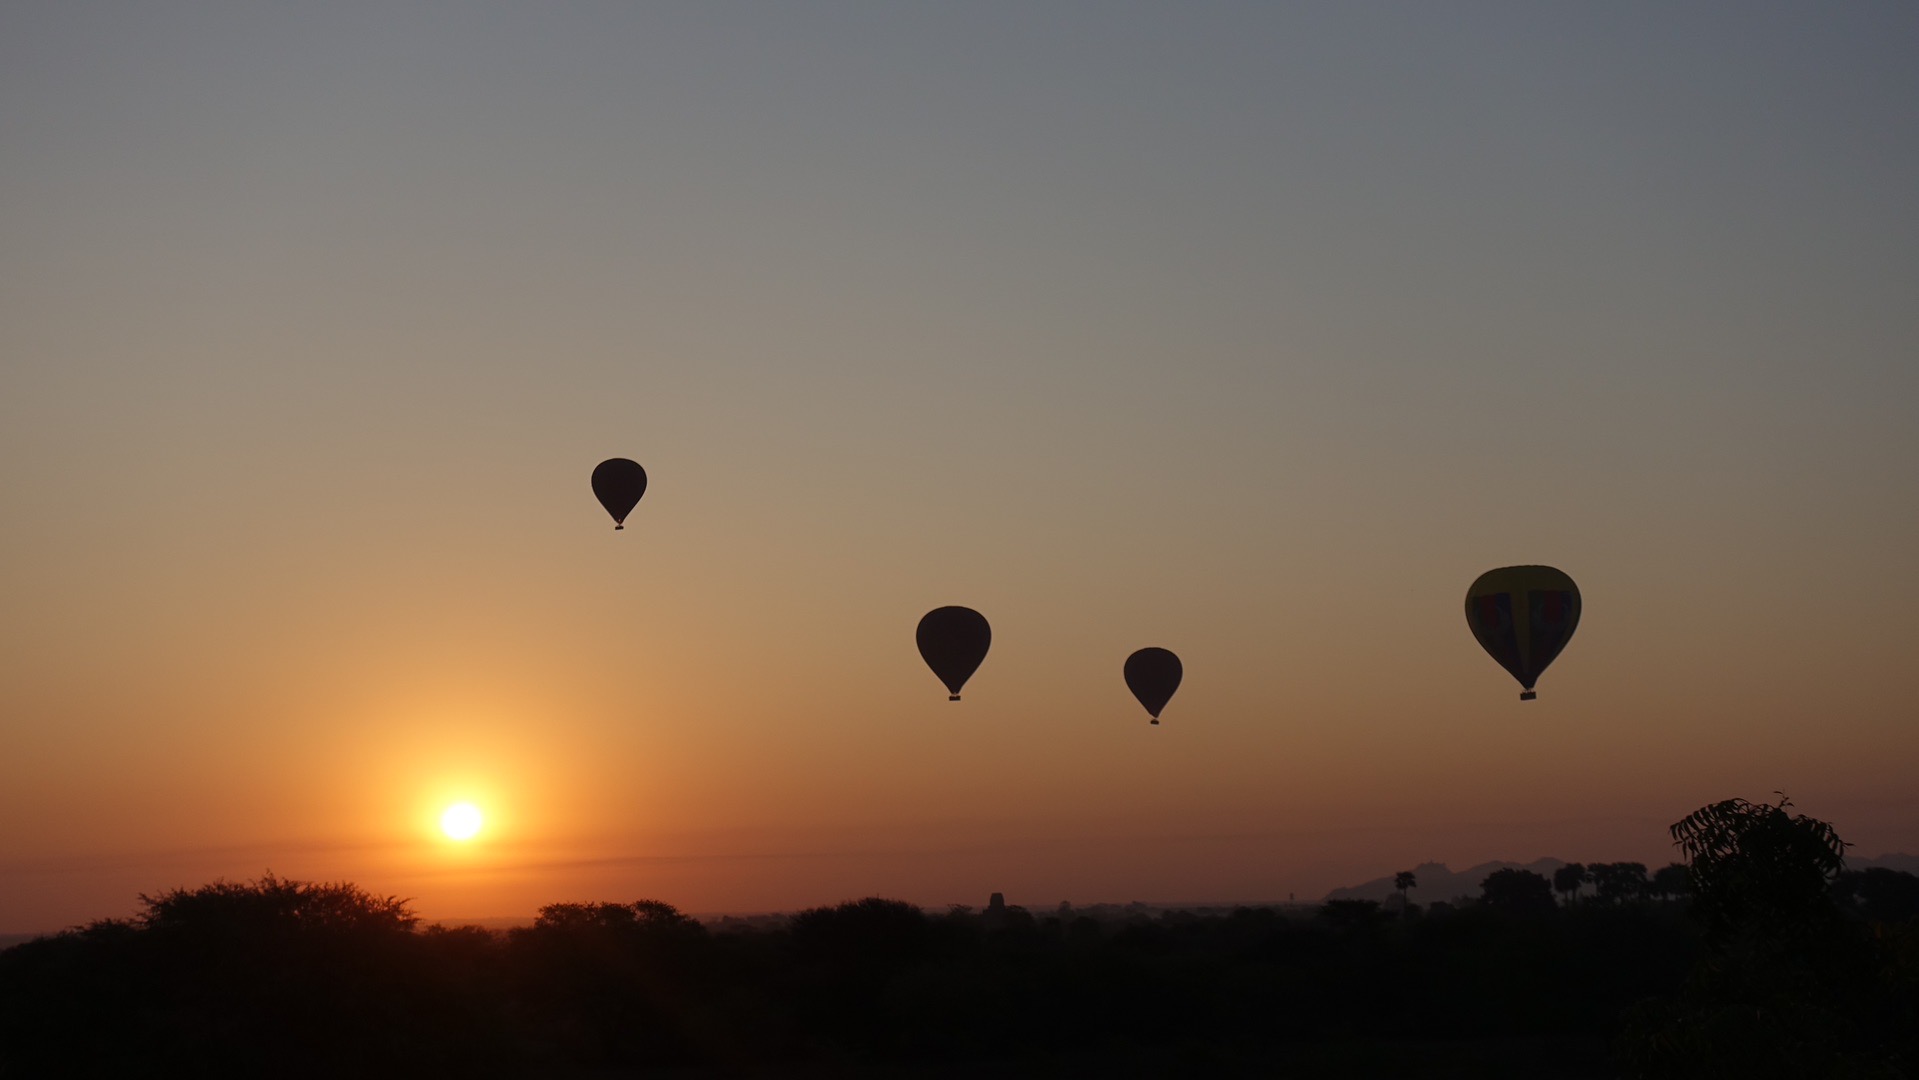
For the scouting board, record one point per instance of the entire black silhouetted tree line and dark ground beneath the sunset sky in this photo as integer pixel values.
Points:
(1772, 964)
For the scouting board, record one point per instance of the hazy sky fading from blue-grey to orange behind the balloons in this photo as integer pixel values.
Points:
(1250, 331)
